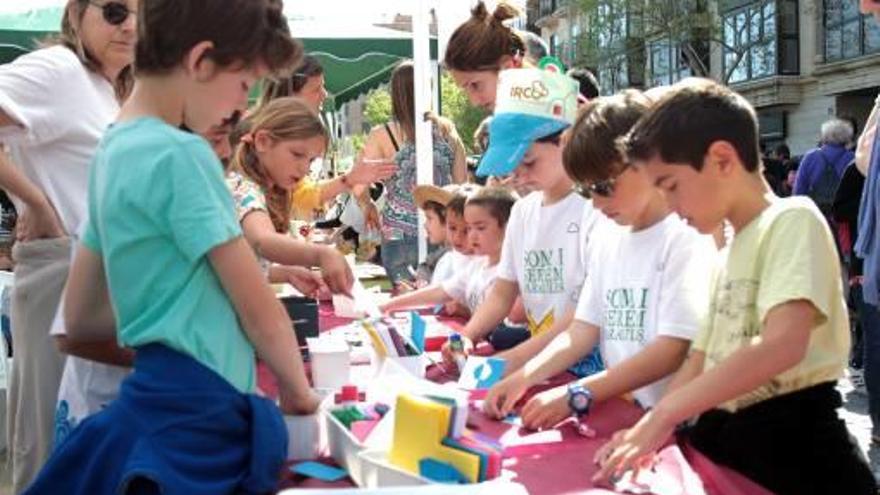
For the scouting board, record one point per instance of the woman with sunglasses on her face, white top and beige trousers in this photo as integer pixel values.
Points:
(55, 103)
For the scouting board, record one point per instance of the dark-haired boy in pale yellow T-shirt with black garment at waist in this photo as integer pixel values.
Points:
(762, 371)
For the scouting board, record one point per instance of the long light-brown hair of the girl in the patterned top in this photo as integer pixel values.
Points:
(284, 119)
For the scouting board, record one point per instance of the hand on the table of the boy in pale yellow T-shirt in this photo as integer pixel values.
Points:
(633, 448)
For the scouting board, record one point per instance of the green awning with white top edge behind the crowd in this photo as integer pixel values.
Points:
(355, 59)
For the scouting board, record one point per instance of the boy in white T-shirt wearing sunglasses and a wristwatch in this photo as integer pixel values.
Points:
(644, 315)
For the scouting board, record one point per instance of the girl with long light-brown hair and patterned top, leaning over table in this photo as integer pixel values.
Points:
(285, 136)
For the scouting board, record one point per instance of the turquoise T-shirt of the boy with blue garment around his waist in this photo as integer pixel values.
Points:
(157, 204)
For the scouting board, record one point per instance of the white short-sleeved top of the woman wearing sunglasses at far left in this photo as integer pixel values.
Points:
(63, 109)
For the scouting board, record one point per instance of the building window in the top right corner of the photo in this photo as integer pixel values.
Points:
(848, 33)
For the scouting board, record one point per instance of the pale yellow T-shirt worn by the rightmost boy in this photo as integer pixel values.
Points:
(785, 254)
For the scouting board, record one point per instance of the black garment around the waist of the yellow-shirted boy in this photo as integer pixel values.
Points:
(792, 444)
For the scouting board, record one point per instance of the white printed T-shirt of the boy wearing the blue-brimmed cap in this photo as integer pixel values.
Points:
(544, 252)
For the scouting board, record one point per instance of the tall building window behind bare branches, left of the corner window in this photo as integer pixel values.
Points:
(751, 42)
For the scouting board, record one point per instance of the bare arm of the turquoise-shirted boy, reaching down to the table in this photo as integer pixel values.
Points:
(265, 322)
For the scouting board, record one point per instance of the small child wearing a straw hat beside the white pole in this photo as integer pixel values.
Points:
(432, 200)
